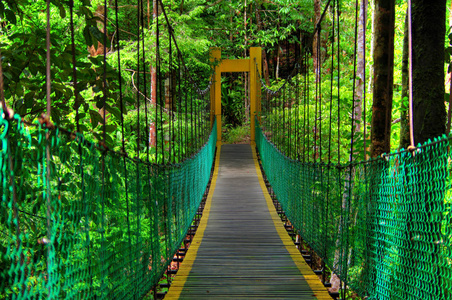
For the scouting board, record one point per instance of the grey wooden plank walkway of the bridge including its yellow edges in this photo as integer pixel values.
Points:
(241, 249)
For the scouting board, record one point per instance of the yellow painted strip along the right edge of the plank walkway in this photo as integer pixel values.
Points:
(315, 284)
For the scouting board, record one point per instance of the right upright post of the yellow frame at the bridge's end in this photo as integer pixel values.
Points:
(255, 59)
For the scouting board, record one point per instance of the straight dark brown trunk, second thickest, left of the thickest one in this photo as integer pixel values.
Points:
(383, 58)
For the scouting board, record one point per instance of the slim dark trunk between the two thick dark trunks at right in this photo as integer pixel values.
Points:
(404, 116)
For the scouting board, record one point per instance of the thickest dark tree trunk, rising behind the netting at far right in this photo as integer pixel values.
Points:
(428, 32)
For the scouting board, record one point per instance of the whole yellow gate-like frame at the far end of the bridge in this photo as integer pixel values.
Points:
(236, 65)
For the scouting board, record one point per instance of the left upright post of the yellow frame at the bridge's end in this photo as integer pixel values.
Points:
(215, 93)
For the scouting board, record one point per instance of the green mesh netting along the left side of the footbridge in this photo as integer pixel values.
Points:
(79, 223)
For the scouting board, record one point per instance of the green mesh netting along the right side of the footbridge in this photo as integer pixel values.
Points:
(383, 226)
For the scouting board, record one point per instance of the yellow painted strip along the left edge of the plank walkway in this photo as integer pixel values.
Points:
(179, 281)
